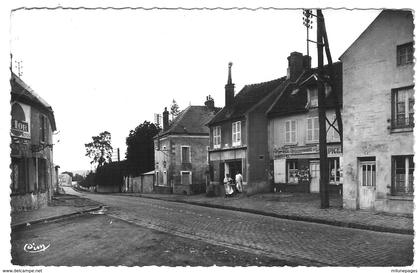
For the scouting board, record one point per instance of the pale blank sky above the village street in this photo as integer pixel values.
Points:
(113, 69)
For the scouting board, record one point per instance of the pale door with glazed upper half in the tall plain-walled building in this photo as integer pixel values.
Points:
(367, 180)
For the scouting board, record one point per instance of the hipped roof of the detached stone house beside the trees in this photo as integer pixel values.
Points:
(192, 121)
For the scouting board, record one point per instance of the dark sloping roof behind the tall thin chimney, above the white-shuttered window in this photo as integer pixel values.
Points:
(248, 97)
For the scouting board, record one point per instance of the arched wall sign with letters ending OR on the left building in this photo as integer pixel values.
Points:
(21, 120)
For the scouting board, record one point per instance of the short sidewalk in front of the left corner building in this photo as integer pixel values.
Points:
(61, 206)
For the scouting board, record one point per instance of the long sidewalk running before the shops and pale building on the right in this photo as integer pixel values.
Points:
(299, 206)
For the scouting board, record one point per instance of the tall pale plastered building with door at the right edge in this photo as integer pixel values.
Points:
(378, 87)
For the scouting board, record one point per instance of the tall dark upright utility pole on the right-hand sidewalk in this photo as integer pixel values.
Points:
(323, 159)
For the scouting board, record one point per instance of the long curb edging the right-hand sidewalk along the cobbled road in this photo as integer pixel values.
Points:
(292, 217)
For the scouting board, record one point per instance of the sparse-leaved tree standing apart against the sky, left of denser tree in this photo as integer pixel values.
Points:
(100, 149)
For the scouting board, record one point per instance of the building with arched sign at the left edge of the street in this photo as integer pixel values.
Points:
(32, 168)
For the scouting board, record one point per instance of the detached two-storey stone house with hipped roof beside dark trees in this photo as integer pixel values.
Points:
(181, 159)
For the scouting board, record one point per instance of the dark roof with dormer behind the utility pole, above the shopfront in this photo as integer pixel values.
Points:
(294, 97)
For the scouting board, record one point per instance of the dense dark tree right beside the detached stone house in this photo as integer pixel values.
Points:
(140, 148)
